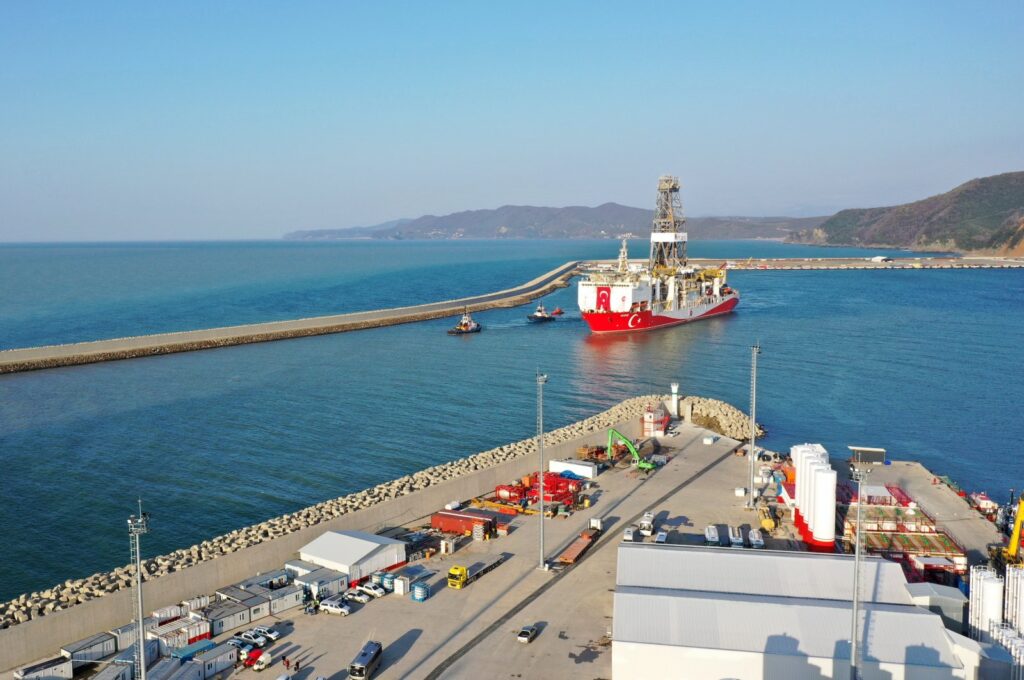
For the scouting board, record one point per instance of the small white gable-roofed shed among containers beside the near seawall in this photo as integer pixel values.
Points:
(356, 555)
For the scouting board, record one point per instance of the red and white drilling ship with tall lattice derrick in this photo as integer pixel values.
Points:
(666, 291)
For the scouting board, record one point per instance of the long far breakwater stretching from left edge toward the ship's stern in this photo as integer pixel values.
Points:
(34, 359)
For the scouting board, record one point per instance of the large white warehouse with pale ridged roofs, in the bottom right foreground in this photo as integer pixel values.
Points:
(755, 614)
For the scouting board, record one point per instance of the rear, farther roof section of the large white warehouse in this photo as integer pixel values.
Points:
(759, 572)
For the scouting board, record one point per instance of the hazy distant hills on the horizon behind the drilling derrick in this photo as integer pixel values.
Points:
(606, 222)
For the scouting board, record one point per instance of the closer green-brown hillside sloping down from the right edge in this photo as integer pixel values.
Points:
(985, 215)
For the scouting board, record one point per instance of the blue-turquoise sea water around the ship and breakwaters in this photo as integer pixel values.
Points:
(922, 363)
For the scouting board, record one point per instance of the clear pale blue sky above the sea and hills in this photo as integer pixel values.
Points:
(242, 120)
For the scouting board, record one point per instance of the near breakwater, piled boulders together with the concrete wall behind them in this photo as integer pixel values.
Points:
(35, 624)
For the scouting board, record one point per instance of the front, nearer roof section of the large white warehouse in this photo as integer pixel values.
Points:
(774, 625)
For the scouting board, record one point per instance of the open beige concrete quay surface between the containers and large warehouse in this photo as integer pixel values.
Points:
(473, 632)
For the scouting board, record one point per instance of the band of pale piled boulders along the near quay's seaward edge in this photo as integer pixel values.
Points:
(719, 417)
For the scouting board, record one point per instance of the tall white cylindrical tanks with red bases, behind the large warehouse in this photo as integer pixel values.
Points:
(816, 494)
